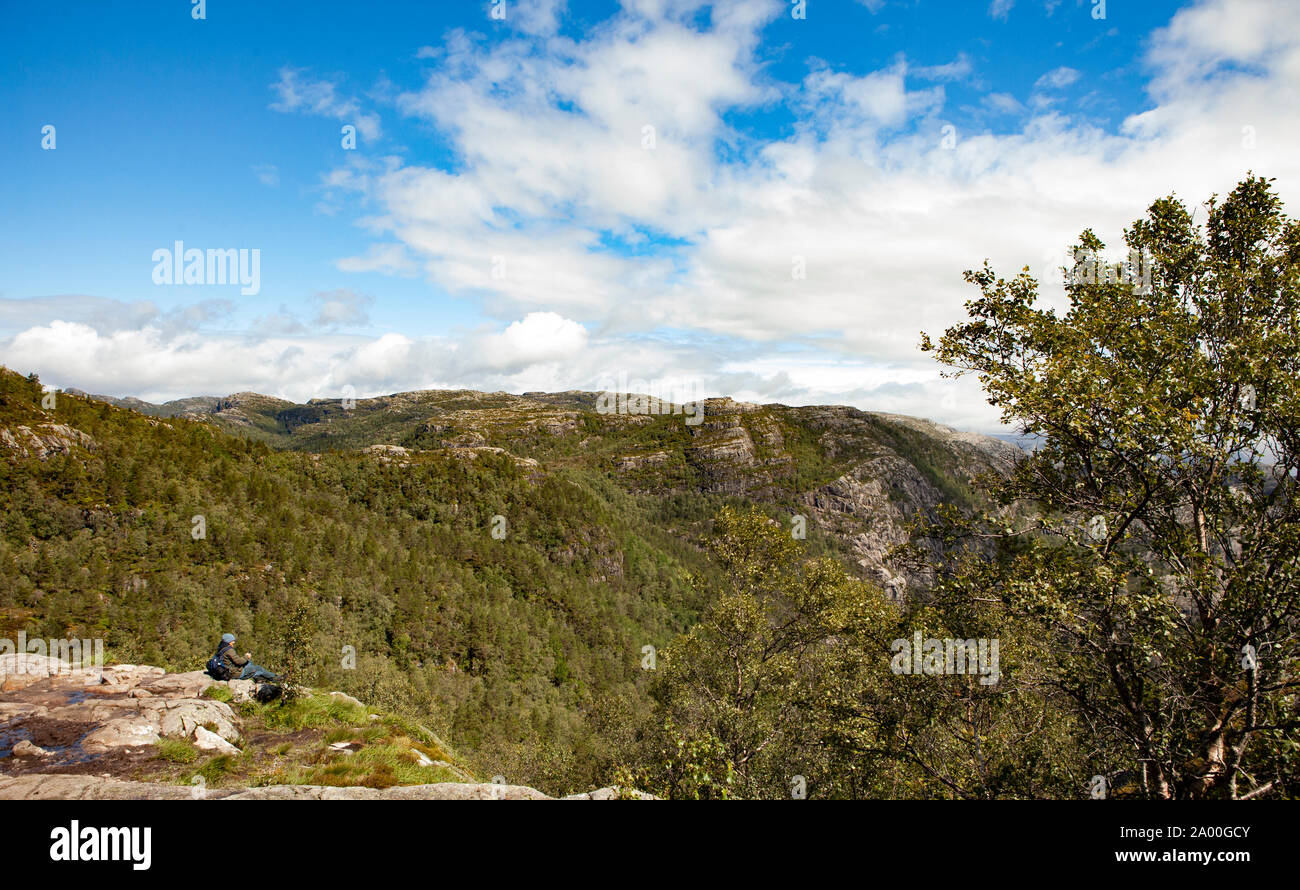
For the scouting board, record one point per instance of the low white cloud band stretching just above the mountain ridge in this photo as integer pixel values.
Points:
(539, 353)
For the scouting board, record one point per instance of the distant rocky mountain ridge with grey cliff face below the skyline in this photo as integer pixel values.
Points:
(863, 476)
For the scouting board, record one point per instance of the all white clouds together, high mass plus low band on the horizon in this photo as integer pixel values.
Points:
(606, 215)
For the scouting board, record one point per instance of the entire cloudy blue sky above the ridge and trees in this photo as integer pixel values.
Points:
(505, 224)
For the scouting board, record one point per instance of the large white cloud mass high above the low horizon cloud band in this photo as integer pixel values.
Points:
(883, 216)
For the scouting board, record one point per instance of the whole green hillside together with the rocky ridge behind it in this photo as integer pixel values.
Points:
(372, 528)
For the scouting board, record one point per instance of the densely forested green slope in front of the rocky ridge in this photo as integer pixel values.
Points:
(509, 646)
